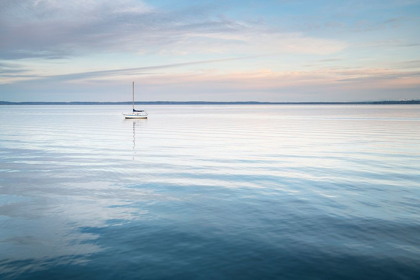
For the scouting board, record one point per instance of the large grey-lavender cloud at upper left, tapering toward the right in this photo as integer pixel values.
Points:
(53, 29)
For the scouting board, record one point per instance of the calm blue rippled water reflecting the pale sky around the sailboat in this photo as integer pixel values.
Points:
(210, 192)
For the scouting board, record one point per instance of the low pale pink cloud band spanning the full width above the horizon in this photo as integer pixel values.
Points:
(327, 84)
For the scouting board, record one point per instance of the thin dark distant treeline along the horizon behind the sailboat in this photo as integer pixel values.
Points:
(213, 103)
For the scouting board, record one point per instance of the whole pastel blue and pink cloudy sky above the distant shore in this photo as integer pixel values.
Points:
(230, 50)
